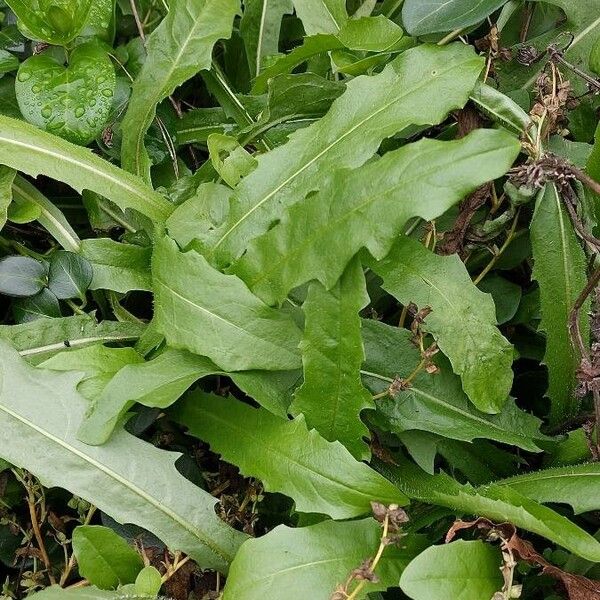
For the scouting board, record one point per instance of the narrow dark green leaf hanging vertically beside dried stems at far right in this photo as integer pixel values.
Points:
(560, 269)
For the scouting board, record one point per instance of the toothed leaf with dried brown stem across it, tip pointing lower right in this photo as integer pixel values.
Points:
(435, 403)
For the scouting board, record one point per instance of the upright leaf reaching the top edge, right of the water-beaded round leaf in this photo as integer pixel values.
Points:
(177, 49)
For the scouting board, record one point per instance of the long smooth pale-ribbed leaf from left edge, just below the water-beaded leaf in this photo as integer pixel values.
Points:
(26, 148)
